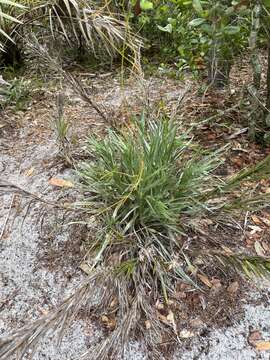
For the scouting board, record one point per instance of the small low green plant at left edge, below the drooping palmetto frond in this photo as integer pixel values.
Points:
(14, 93)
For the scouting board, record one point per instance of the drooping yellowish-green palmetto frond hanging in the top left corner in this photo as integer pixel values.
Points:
(75, 20)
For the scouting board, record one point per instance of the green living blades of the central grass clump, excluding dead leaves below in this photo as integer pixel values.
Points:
(145, 178)
